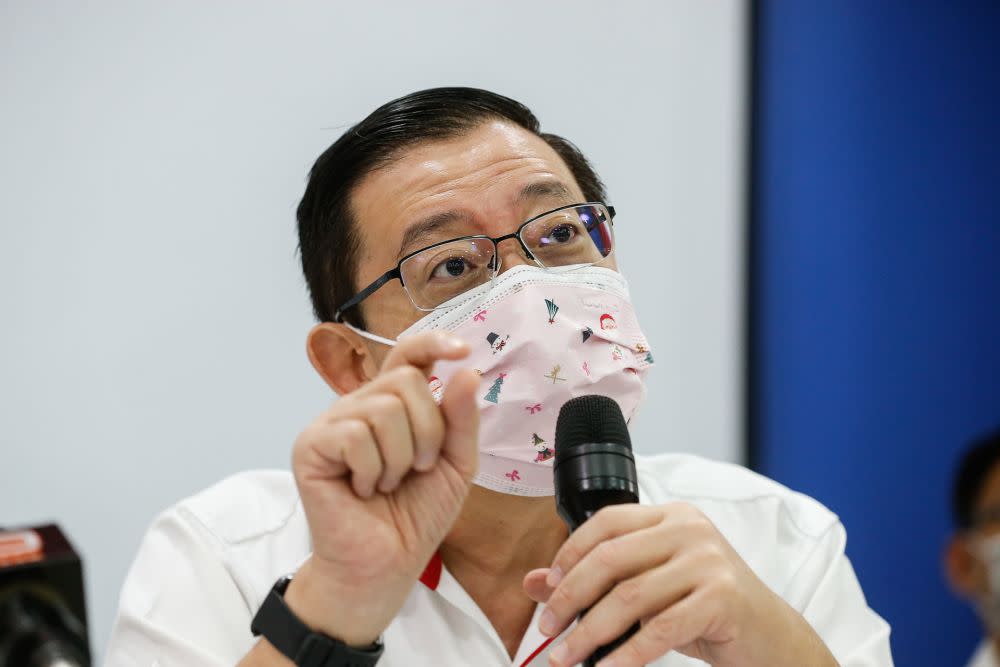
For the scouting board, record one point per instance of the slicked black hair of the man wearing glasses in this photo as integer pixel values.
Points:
(328, 237)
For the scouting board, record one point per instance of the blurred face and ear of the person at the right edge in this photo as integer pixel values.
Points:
(966, 570)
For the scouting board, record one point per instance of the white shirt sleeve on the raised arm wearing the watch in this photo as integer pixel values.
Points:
(180, 604)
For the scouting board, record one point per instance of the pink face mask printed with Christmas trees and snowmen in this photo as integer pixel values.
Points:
(539, 338)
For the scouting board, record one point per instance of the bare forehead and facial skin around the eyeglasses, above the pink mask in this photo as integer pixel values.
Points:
(486, 181)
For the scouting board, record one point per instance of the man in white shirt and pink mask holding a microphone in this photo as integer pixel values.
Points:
(425, 533)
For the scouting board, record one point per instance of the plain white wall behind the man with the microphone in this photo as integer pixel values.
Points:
(152, 313)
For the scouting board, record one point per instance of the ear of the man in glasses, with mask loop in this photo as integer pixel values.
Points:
(340, 356)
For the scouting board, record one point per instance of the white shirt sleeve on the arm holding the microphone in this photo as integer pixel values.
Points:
(826, 591)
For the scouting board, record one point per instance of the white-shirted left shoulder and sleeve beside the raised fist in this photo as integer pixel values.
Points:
(217, 552)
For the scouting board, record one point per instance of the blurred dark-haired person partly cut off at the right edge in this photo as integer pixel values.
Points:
(972, 559)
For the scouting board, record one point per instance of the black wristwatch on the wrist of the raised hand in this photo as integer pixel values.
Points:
(298, 643)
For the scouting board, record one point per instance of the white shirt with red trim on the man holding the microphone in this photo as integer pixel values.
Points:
(207, 563)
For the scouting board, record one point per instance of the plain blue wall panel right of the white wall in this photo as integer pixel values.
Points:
(875, 268)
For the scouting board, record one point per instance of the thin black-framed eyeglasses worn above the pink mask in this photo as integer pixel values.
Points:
(566, 237)
